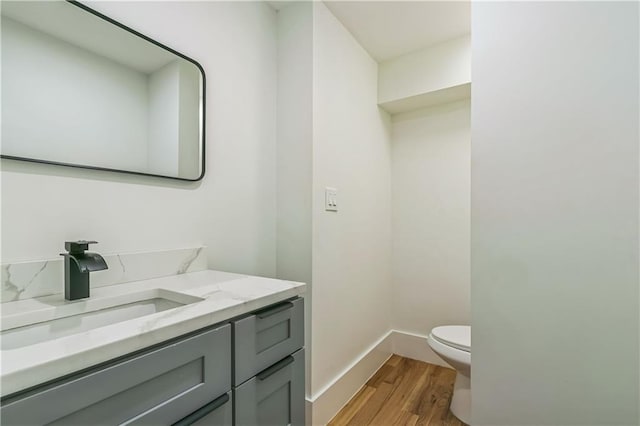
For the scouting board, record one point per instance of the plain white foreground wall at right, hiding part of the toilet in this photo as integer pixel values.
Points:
(554, 241)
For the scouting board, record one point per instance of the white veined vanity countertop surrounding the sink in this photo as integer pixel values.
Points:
(225, 296)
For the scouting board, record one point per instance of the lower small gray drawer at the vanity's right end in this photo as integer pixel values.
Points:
(275, 397)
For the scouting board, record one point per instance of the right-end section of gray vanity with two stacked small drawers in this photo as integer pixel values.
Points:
(269, 366)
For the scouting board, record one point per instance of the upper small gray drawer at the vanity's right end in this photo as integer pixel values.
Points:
(266, 337)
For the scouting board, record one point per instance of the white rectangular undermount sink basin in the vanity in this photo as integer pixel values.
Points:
(53, 322)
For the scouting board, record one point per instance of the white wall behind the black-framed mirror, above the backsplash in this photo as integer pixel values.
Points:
(232, 210)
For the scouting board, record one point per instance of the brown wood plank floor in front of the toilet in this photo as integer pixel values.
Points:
(402, 392)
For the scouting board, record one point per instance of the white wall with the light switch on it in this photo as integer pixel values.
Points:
(351, 247)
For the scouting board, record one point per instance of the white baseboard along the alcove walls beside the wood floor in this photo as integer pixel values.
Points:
(323, 406)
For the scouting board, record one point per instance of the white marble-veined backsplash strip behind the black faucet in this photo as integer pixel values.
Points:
(26, 280)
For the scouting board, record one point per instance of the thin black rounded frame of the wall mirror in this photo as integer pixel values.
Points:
(107, 169)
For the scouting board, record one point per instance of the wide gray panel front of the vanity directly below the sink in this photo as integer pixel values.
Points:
(157, 387)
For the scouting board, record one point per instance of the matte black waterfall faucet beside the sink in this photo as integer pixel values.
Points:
(77, 265)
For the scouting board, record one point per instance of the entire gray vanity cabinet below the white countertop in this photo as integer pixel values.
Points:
(186, 381)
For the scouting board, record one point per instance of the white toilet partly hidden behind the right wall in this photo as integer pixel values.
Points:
(452, 343)
